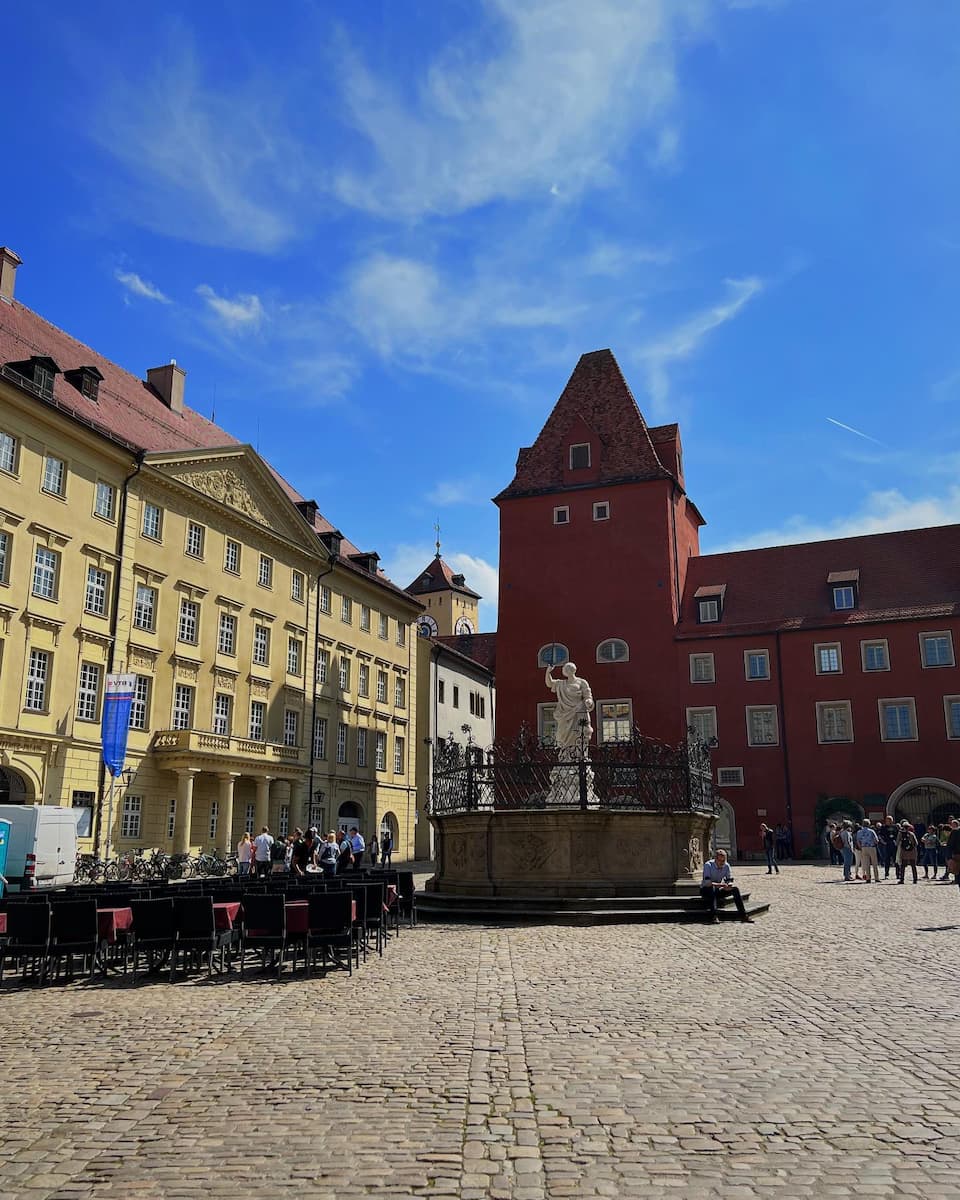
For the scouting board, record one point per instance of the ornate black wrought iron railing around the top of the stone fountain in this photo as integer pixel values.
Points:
(635, 775)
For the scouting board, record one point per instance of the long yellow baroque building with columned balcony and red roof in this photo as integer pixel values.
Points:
(275, 664)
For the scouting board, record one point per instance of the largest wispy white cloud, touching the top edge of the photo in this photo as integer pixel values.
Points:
(550, 113)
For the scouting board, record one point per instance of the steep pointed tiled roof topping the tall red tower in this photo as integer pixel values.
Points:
(598, 394)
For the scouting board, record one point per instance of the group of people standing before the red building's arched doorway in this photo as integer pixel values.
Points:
(868, 847)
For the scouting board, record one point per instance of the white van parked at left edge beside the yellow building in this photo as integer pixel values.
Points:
(43, 851)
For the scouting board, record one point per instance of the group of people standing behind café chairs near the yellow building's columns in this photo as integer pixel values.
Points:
(307, 853)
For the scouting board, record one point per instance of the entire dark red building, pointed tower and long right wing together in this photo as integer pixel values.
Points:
(825, 674)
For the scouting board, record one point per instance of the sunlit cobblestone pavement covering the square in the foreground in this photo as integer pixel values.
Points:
(783, 1059)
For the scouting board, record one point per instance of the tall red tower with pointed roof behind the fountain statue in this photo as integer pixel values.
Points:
(596, 535)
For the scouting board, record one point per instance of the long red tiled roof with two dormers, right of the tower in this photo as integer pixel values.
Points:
(909, 575)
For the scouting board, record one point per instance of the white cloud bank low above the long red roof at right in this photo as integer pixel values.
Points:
(883, 512)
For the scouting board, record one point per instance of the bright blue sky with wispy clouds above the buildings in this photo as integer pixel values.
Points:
(379, 237)
